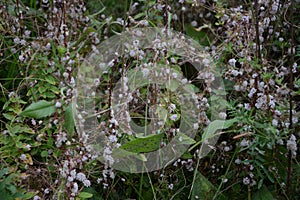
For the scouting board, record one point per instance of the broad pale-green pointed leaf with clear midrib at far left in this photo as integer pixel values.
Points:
(39, 109)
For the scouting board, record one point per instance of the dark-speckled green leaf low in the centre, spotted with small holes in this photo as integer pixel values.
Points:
(144, 144)
